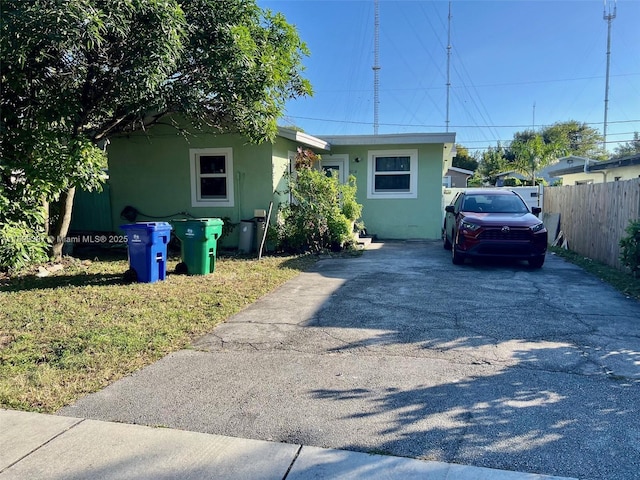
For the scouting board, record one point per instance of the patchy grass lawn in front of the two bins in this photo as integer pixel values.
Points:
(82, 328)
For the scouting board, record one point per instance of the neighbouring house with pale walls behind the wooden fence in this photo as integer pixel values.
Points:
(578, 170)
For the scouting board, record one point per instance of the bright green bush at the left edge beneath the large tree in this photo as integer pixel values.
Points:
(20, 246)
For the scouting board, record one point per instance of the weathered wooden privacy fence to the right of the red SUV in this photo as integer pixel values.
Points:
(593, 218)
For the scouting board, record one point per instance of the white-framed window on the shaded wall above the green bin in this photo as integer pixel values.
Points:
(211, 177)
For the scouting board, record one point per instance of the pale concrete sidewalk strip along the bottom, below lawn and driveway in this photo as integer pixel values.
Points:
(38, 446)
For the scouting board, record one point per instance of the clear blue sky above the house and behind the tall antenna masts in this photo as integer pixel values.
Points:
(506, 56)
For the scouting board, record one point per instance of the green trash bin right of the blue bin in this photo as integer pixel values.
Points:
(198, 243)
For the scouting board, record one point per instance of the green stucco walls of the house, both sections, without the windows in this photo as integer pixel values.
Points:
(152, 173)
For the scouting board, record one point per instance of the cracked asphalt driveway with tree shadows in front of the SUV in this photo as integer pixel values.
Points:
(399, 352)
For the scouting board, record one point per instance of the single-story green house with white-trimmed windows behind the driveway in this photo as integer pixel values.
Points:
(163, 175)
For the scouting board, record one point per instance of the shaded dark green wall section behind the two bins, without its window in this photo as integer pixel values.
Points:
(152, 173)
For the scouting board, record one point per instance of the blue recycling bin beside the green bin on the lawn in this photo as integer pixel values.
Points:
(147, 245)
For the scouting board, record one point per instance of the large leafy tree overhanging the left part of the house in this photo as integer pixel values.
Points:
(75, 73)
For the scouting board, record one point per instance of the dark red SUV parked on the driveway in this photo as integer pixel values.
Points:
(493, 223)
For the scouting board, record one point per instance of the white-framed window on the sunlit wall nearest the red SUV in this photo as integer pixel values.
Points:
(393, 174)
